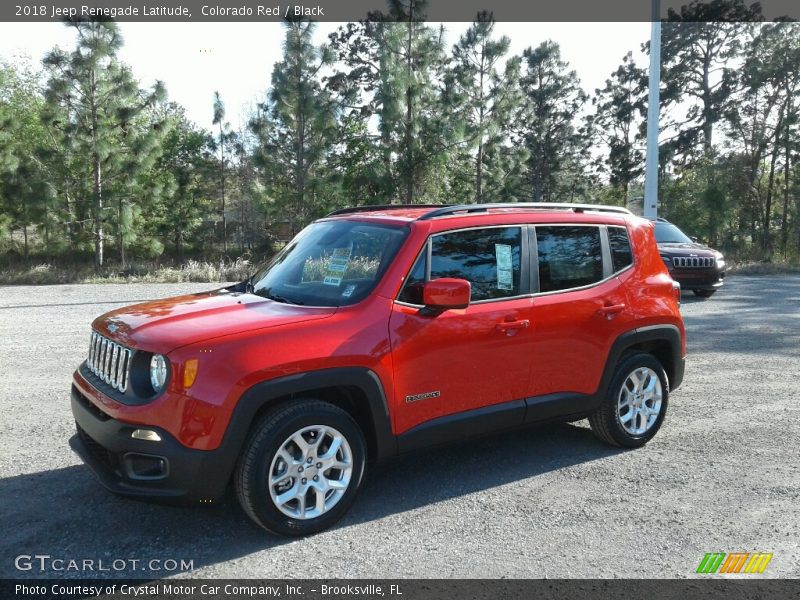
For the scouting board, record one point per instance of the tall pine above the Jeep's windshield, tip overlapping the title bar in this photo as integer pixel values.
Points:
(395, 65)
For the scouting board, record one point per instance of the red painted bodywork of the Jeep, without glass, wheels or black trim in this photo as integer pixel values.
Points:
(476, 356)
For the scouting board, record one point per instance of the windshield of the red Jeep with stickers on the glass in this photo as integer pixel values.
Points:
(329, 263)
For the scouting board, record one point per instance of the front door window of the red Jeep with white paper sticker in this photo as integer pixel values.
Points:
(489, 259)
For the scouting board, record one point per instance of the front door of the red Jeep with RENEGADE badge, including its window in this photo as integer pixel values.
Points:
(457, 360)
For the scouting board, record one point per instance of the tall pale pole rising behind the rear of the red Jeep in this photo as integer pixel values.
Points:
(651, 166)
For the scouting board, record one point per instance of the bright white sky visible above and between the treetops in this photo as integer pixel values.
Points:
(195, 59)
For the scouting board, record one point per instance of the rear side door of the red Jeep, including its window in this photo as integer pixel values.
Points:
(579, 309)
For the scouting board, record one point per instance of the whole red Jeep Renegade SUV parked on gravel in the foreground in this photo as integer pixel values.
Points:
(377, 331)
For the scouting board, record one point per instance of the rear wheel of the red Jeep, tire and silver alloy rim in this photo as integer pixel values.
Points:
(609, 422)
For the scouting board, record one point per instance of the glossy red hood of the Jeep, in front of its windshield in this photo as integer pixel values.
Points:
(164, 325)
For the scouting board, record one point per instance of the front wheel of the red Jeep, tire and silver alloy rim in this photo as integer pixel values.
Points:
(271, 449)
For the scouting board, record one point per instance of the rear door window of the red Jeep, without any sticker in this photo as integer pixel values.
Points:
(569, 257)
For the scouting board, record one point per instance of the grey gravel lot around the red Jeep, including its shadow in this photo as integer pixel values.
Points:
(722, 475)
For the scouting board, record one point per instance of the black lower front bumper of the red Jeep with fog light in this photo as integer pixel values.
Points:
(161, 470)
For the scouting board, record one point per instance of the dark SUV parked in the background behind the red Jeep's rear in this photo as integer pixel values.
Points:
(695, 266)
